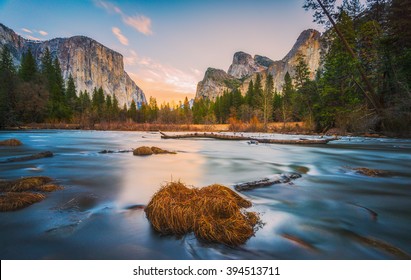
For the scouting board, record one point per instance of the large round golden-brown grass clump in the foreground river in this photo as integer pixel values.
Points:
(214, 213)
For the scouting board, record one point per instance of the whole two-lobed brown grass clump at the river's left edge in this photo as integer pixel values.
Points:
(20, 193)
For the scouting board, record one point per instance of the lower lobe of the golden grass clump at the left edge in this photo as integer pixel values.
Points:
(11, 201)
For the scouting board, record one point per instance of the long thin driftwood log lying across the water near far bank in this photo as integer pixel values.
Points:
(244, 138)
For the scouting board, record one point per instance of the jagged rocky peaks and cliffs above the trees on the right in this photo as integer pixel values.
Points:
(245, 68)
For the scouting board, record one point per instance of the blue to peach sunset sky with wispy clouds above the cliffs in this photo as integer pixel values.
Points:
(167, 45)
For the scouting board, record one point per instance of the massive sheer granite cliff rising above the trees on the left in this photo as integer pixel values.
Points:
(90, 63)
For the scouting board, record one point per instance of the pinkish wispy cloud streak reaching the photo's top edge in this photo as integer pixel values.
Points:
(141, 23)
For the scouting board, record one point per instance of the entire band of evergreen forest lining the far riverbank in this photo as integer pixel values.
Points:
(363, 84)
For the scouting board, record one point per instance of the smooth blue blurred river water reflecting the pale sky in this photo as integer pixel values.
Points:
(330, 213)
